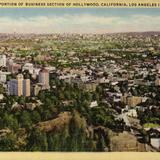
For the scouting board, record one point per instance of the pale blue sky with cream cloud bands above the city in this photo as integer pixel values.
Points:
(84, 20)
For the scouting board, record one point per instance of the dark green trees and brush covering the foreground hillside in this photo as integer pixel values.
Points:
(86, 131)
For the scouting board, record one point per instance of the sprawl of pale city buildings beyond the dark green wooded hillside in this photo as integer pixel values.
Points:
(123, 79)
